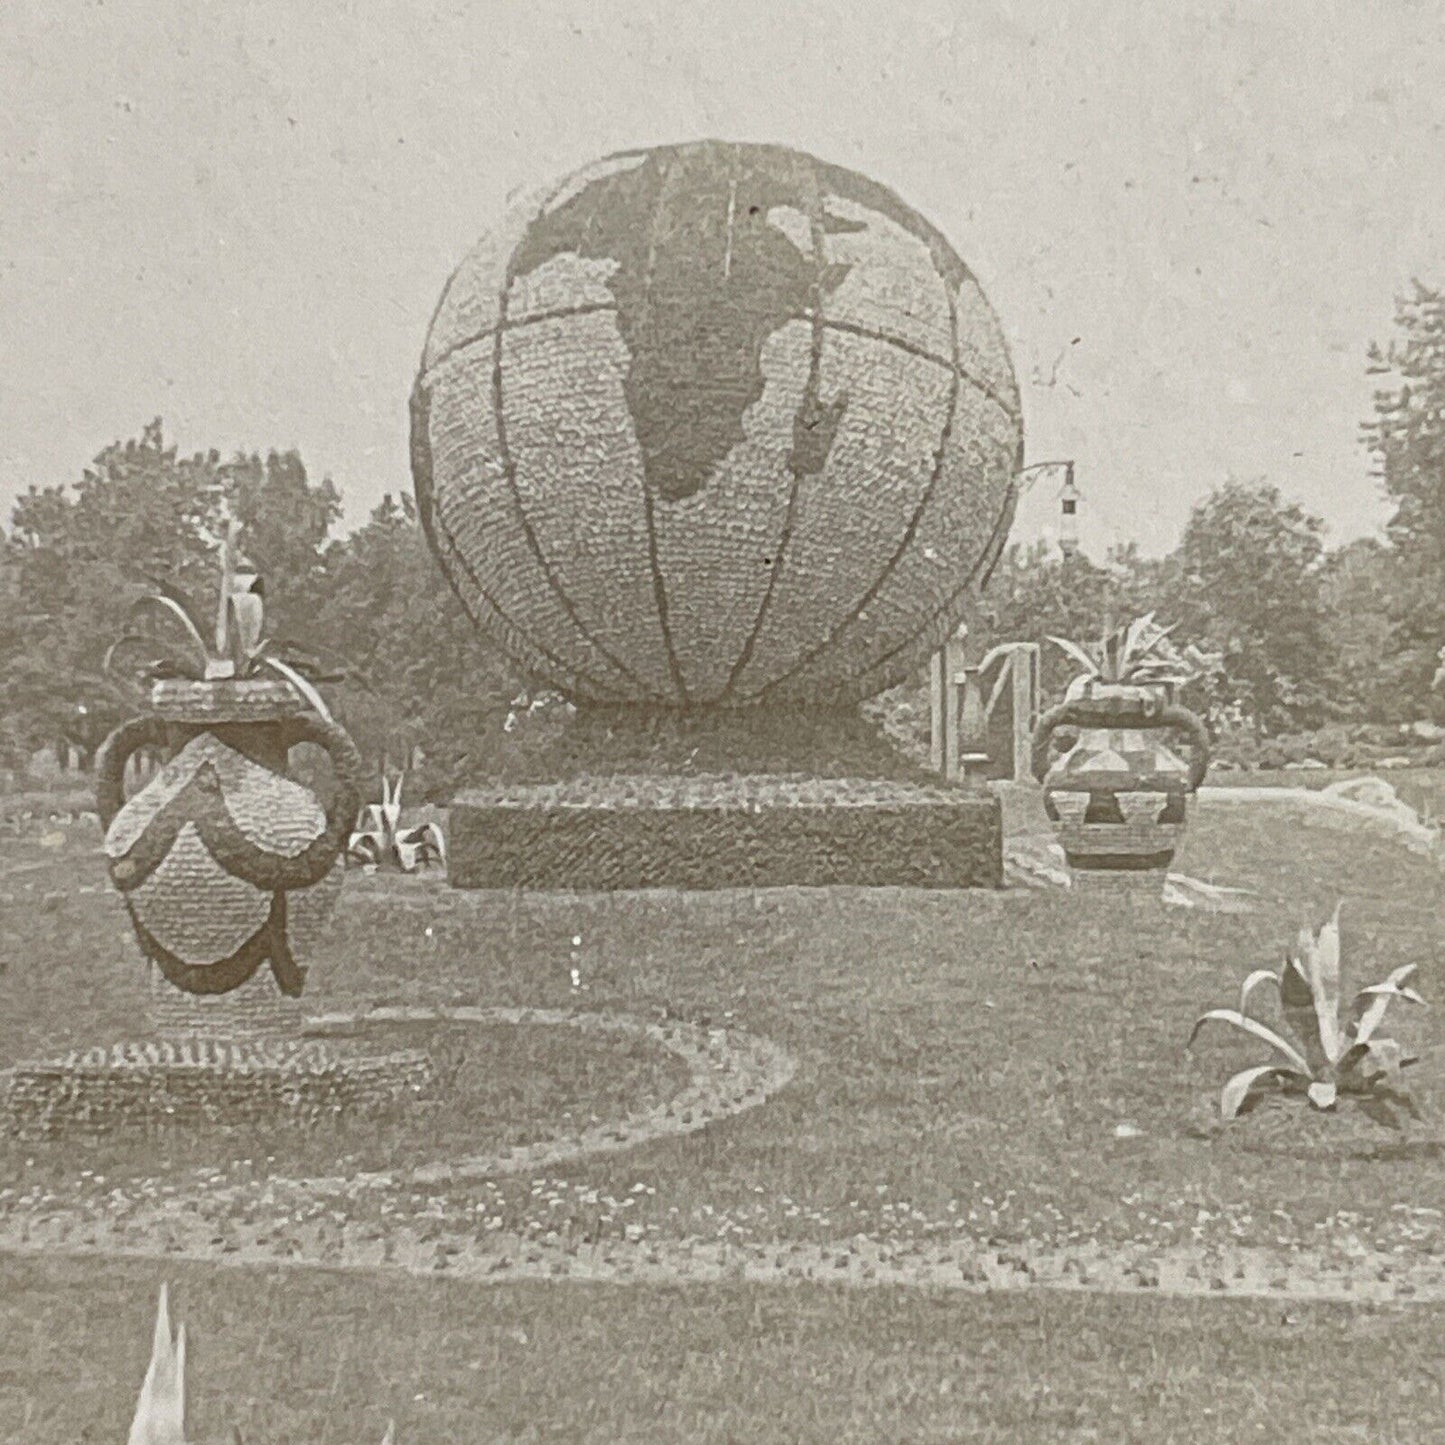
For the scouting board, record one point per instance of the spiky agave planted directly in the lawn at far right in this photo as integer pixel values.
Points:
(1327, 1058)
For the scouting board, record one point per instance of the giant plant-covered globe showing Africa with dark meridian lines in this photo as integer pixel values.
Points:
(716, 426)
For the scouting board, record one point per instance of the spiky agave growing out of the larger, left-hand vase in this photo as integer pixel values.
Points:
(170, 641)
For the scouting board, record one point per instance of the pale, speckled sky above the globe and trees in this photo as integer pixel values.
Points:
(239, 217)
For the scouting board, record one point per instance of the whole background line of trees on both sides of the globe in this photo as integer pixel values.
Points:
(1306, 635)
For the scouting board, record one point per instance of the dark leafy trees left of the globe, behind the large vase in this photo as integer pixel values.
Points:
(77, 557)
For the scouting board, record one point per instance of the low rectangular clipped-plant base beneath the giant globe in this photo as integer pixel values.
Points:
(725, 833)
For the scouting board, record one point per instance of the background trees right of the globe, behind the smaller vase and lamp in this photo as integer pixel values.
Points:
(1307, 635)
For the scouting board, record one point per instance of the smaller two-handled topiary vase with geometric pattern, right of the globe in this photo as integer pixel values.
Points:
(1118, 798)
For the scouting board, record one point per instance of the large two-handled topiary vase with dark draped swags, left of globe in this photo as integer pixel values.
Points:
(229, 866)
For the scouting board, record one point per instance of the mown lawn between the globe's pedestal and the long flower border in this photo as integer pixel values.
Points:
(962, 1056)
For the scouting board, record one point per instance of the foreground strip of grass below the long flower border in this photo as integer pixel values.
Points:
(326, 1359)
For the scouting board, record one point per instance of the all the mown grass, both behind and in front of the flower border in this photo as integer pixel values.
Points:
(965, 1063)
